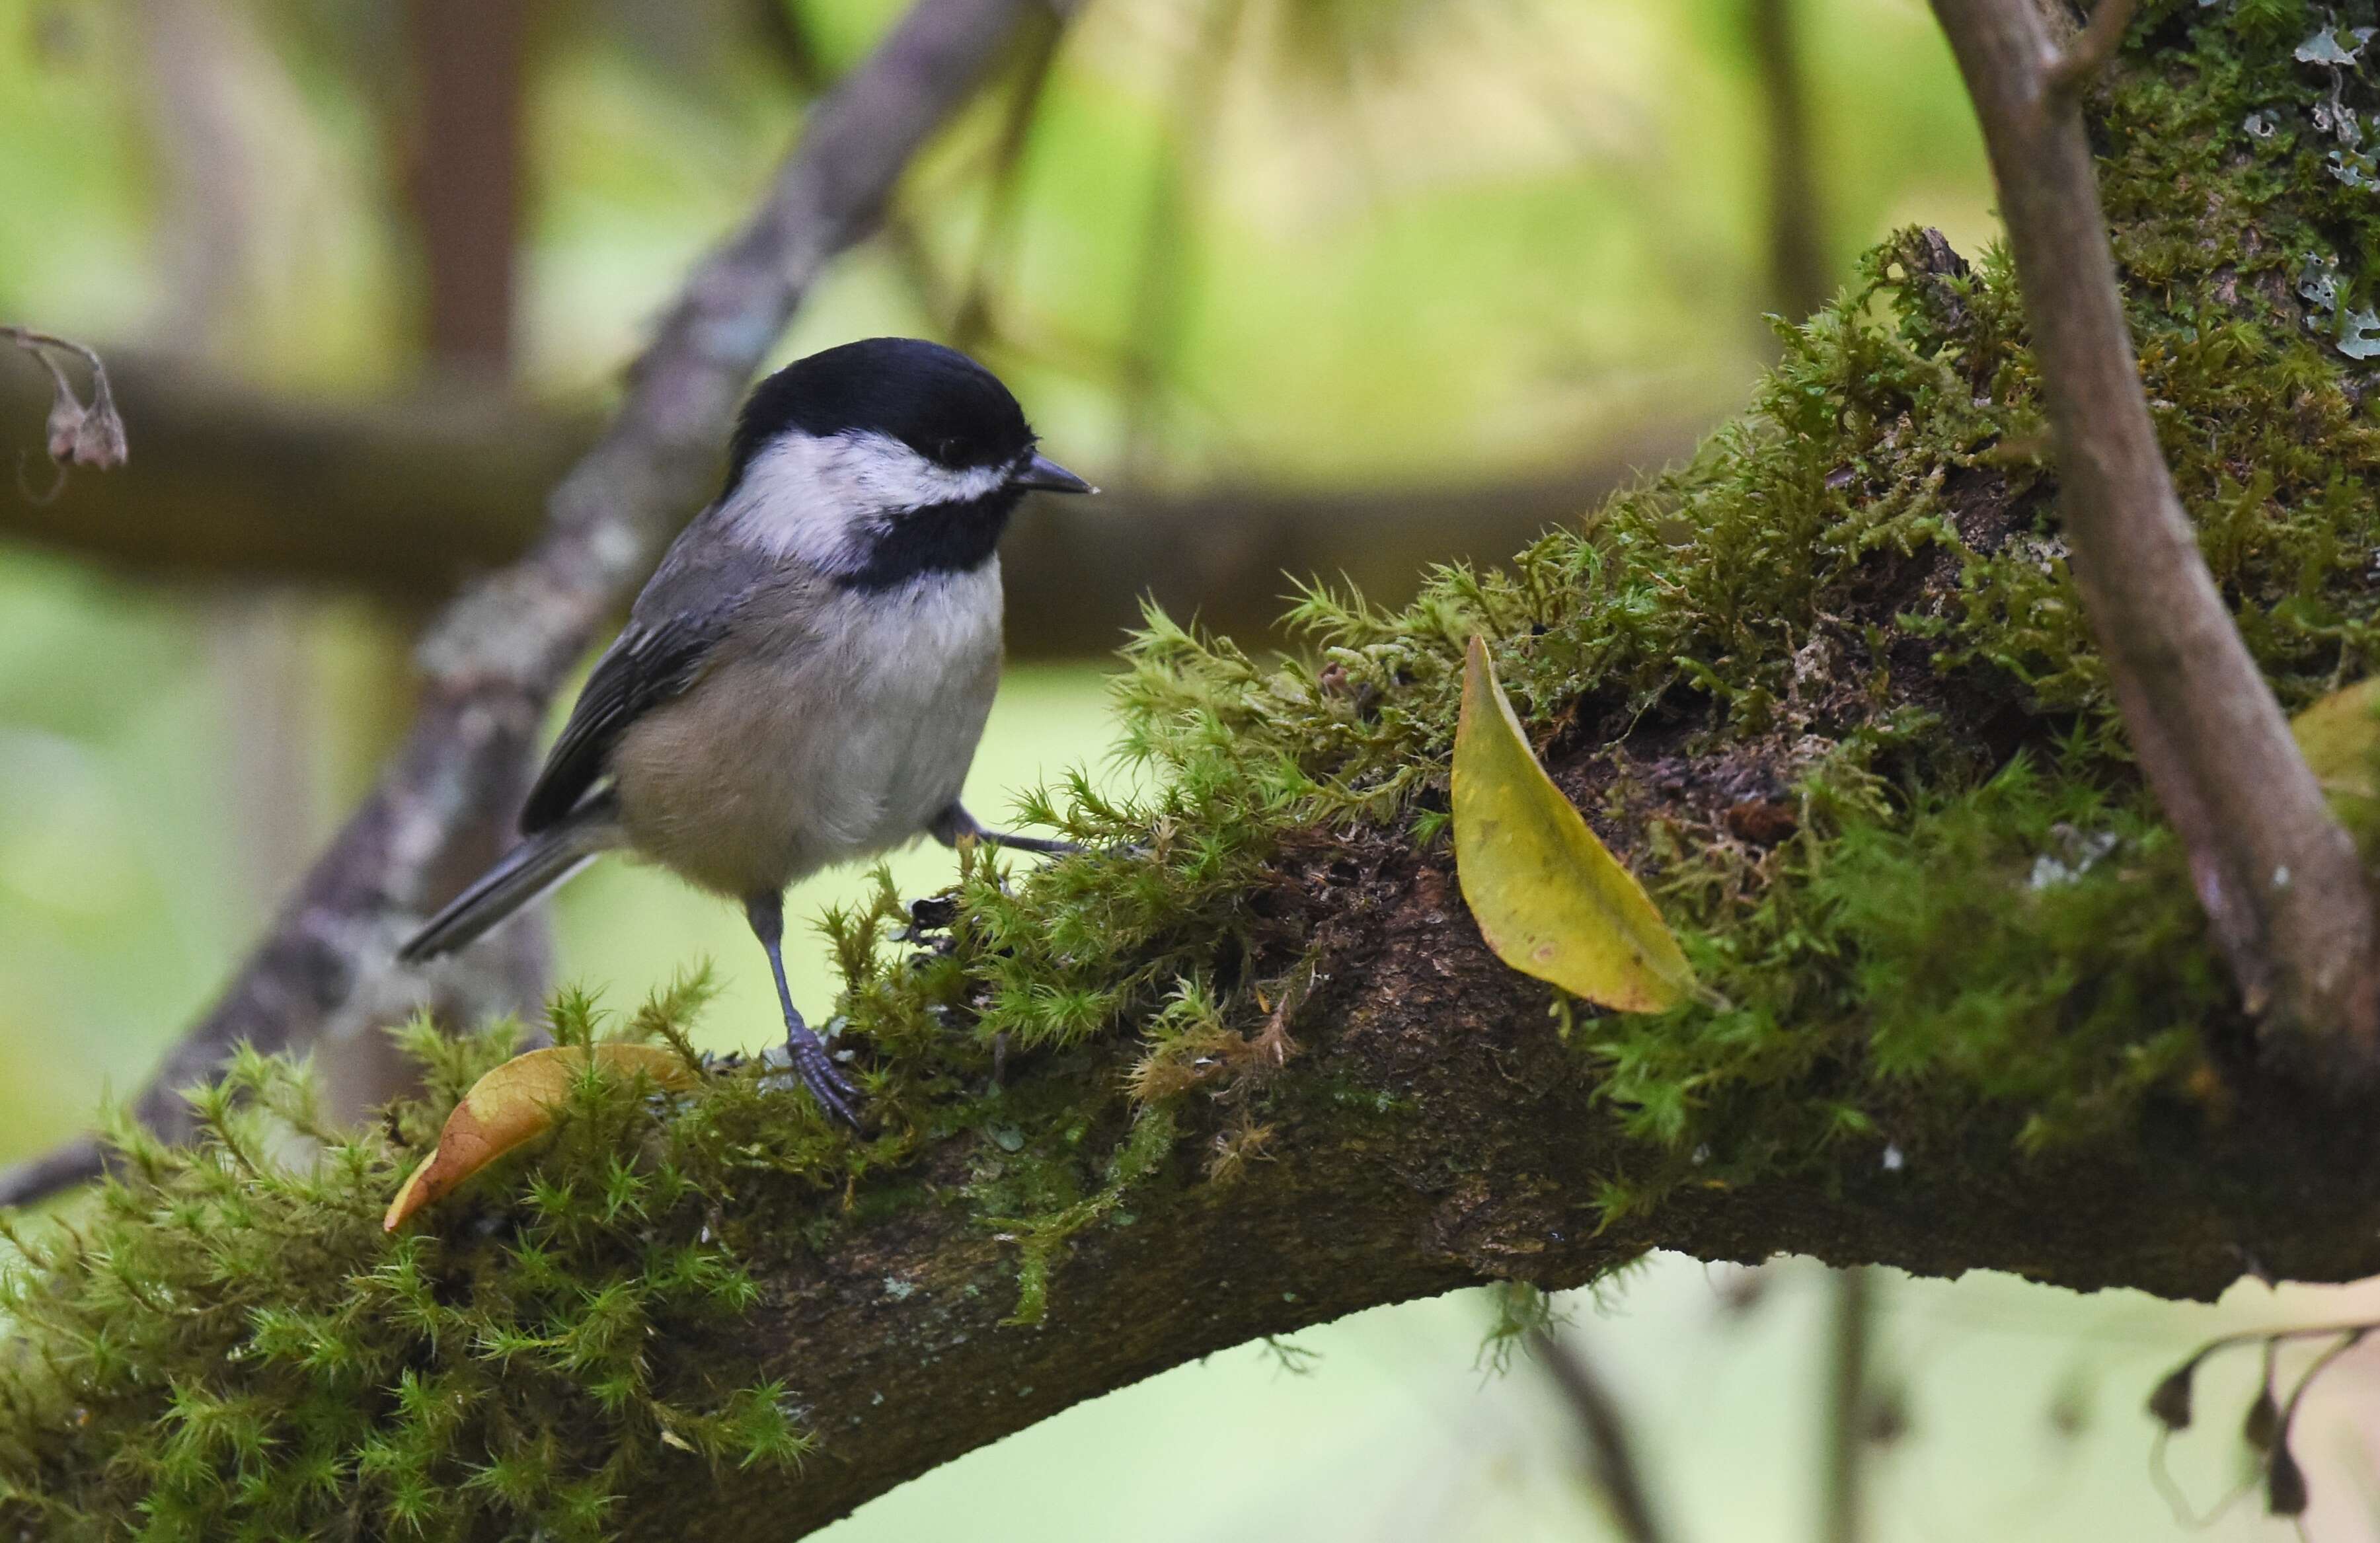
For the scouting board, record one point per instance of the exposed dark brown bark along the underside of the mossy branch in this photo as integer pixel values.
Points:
(1484, 1166)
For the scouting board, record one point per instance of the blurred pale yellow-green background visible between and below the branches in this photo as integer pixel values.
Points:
(1284, 244)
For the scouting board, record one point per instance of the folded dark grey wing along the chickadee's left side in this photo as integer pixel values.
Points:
(677, 625)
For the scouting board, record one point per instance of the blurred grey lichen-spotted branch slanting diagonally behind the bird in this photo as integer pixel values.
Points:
(503, 649)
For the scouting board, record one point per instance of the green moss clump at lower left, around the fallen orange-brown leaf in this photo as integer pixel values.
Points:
(225, 1347)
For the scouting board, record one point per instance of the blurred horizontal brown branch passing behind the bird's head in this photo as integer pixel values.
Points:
(406, 501)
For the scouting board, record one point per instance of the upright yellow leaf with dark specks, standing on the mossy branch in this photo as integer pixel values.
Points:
(1551, 899)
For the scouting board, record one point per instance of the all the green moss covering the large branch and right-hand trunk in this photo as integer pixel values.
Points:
(1853, 606)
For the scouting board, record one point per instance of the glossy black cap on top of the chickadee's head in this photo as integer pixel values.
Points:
(927, 396)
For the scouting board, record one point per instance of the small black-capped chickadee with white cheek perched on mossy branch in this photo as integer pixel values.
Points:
(808, 673)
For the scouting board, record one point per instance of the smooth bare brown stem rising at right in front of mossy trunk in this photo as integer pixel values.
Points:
(2279, 877)
